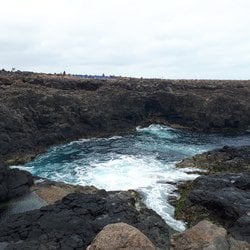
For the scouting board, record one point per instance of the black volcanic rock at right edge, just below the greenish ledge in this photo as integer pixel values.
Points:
(223, 195)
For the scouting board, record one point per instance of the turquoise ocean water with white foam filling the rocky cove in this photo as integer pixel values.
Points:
(144, 161)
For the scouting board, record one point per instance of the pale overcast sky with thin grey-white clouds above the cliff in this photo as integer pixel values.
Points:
(188, 39)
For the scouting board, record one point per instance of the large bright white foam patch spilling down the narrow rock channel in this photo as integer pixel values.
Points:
(145, 174)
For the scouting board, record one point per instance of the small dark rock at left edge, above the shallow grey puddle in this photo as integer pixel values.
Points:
(14, 183)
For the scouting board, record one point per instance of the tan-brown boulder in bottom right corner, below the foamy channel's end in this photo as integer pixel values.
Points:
(207, 236)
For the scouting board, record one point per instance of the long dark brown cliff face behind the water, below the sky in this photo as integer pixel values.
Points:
(37, 111)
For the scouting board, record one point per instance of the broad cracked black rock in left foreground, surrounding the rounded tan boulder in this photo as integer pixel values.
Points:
(74, 222)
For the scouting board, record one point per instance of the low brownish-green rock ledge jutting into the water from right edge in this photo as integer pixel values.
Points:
(227, 159)
